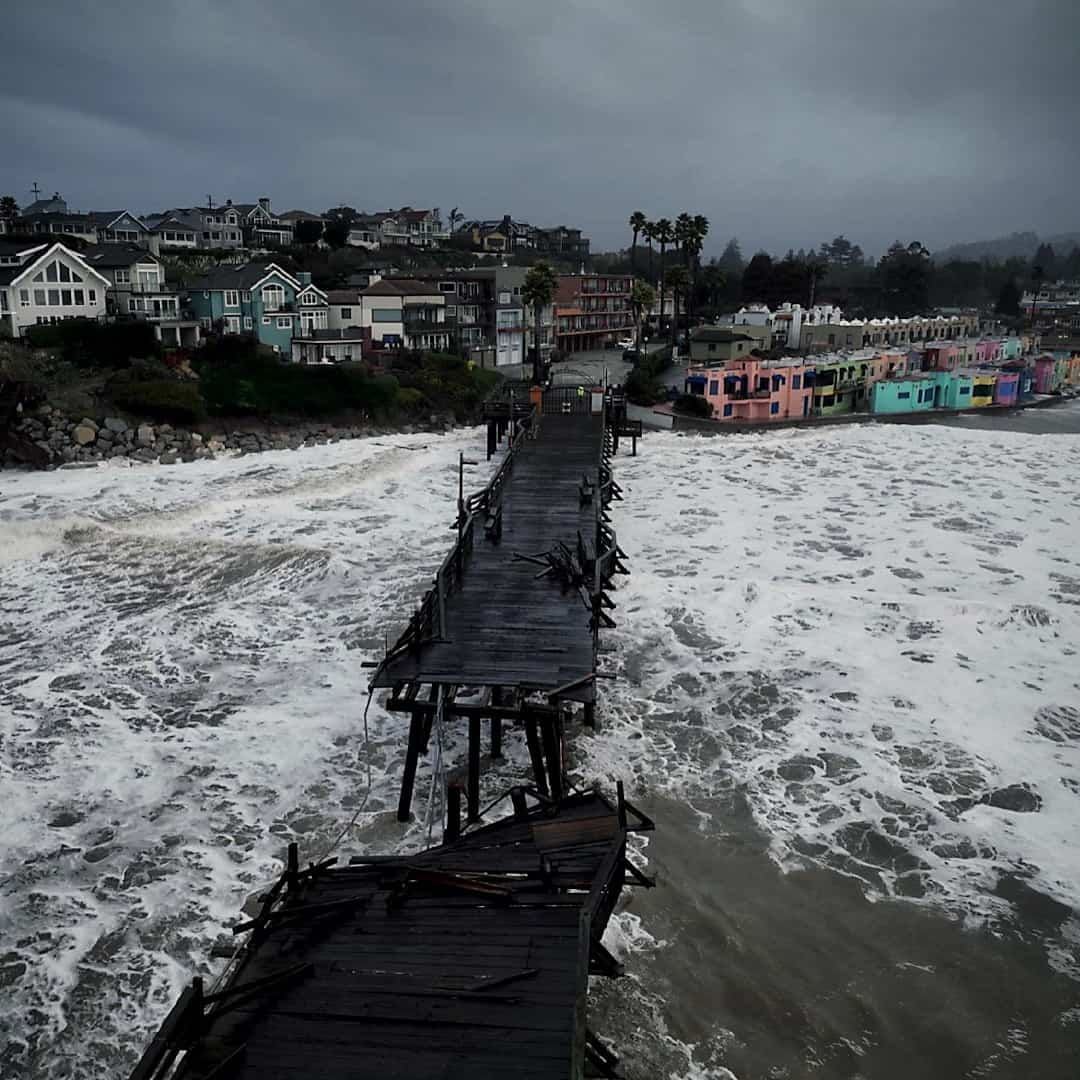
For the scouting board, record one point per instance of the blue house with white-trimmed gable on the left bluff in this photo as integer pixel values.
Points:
(261, 300)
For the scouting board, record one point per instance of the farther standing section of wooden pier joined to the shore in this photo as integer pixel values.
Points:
(509, 631)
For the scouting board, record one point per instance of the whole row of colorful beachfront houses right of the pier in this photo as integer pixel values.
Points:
(941, 375)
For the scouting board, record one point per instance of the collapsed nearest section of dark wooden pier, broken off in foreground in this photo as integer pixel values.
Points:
(471, 961)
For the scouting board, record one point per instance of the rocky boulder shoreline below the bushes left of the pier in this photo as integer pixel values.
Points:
(71, 442)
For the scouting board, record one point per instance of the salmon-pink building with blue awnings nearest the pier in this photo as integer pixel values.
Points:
(754, 390)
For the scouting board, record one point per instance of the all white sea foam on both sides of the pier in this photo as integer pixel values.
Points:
(862, 629)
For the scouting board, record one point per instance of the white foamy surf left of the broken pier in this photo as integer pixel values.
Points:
(181, 695)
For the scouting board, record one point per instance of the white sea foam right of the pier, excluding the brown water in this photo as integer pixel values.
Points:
(868, 631)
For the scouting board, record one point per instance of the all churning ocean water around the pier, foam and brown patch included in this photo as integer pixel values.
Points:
(847, 684)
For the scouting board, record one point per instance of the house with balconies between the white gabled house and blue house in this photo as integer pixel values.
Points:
(139, 291)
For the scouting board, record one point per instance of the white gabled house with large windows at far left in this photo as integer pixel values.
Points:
(47, 283)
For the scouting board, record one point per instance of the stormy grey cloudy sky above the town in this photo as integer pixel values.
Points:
(784, 121)
